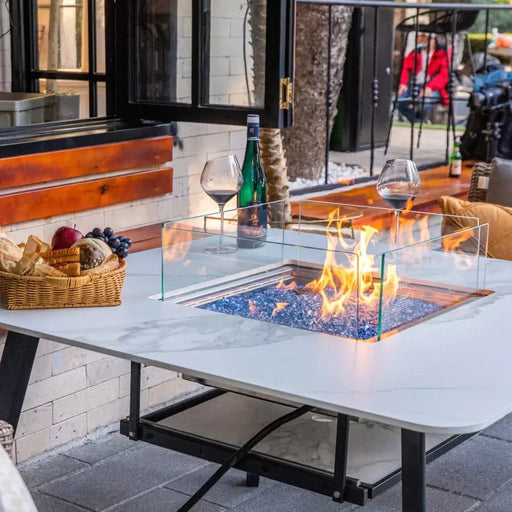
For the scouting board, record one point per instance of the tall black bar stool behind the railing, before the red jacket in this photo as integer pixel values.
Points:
(443, 23)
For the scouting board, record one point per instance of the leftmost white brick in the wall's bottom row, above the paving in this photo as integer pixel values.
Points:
(58, 434)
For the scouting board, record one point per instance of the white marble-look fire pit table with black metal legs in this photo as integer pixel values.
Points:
(448, 375)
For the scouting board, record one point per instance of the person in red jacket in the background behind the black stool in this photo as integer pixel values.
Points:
(430, 64)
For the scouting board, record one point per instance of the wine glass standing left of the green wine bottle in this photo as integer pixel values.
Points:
(221, 179)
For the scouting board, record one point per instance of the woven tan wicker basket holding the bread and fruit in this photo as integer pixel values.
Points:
(29, 292)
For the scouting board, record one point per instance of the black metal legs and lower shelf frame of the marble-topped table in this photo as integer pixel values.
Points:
(16, 366)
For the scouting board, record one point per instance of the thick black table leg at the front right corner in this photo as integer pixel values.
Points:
(413, 471)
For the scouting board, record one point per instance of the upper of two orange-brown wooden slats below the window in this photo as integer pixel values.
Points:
(58, 200)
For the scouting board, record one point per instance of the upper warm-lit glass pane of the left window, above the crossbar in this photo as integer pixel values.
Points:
(62, 34)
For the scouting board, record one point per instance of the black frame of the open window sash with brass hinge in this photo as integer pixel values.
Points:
(278, 65)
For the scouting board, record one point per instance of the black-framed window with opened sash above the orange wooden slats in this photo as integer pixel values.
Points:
(169, 60)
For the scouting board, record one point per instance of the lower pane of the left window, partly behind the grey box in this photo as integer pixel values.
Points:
(71, 100)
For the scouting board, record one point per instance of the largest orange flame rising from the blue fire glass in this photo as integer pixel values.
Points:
(338, 283)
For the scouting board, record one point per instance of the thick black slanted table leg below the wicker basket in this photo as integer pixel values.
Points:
(15, 368)
